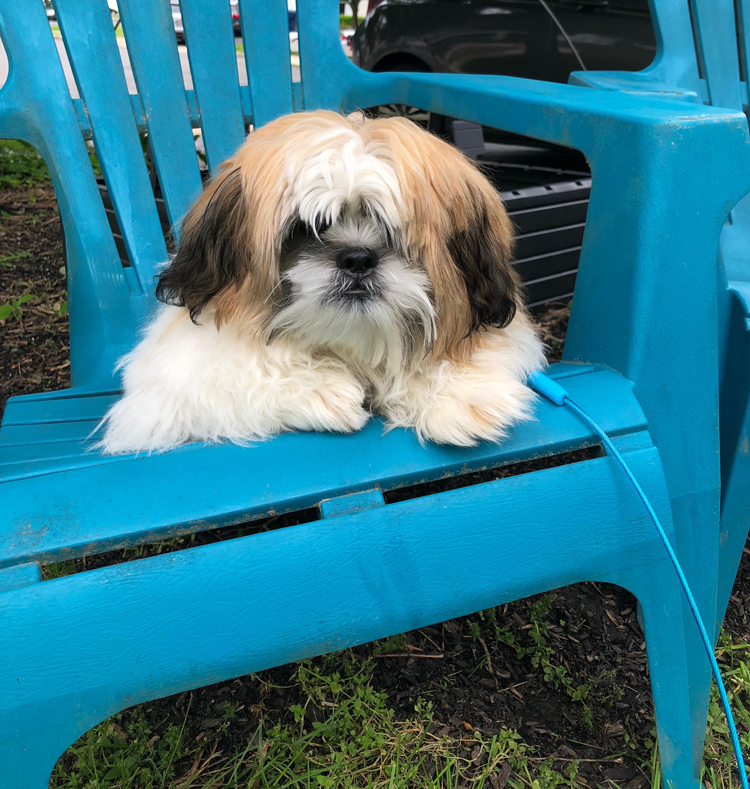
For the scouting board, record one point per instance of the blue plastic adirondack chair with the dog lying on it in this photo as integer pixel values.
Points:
(641, 357)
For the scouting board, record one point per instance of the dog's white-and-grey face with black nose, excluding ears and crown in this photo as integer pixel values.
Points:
(350, 284)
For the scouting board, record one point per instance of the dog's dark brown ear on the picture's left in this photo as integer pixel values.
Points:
(212, 253)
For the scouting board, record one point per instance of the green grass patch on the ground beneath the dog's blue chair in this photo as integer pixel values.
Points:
(355, 742)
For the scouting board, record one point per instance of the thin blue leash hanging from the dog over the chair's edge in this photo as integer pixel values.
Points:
(556, 394)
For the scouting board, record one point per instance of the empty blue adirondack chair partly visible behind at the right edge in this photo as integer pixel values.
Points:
(704, 49)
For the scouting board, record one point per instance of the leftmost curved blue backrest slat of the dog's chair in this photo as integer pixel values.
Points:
(35, 105)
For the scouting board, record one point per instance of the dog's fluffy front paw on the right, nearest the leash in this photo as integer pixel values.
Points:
(463, 418)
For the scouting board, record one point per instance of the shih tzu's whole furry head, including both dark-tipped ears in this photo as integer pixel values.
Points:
(369, 236)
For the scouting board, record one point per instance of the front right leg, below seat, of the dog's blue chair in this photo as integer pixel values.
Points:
(671, 655)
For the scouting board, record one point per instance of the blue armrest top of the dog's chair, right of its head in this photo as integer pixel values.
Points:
(563, 114)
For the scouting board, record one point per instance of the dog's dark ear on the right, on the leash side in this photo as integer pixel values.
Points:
(482, 252)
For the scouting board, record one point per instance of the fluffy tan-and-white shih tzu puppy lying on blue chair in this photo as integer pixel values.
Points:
(333, 268)
